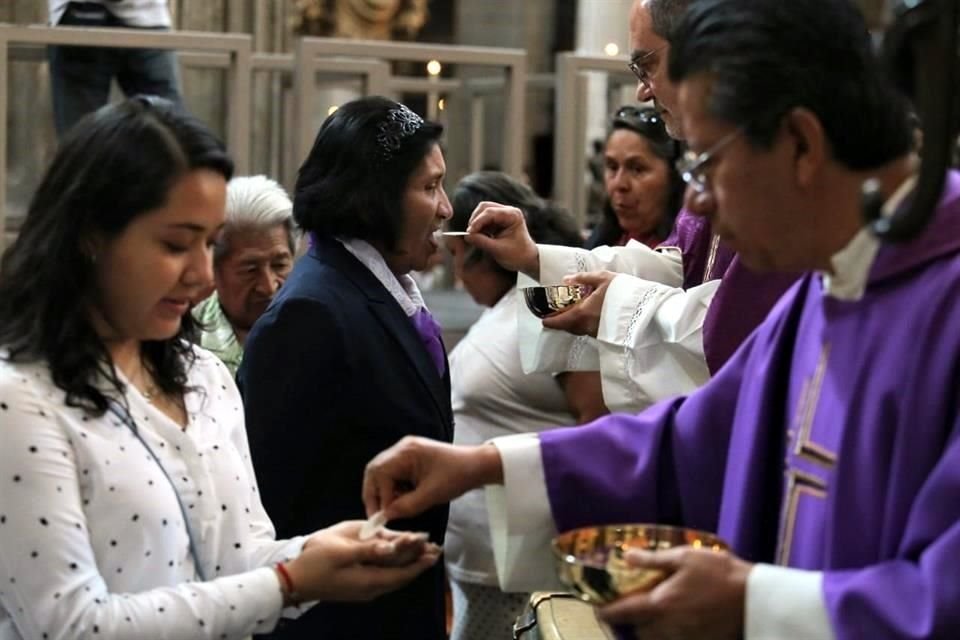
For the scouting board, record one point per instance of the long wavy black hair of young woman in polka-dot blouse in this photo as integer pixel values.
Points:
(113, 166)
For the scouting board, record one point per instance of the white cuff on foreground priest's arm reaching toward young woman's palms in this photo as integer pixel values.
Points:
(521, 524)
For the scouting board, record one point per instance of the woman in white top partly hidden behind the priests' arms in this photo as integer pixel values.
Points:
(493, 397)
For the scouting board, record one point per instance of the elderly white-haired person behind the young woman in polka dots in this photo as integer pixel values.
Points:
(251, 259)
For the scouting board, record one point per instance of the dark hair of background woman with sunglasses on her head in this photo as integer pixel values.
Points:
(646, 123)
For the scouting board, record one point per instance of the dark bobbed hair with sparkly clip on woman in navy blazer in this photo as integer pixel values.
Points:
(352, 182)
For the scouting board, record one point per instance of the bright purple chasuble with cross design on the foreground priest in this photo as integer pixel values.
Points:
(829, 442)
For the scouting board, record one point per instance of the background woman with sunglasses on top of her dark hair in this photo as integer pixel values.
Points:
(644, 190)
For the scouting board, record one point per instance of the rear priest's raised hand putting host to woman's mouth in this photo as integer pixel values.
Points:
(502, 232)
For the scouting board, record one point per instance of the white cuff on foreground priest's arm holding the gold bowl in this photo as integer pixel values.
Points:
(785, 603)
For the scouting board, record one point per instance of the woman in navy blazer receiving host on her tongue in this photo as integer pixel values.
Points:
(348, 360)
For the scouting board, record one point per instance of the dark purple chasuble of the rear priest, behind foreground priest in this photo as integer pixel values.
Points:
(744, 296)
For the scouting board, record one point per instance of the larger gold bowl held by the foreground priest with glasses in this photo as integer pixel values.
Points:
(590, 561)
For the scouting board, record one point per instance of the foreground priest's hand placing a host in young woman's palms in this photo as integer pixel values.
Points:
(418, 473)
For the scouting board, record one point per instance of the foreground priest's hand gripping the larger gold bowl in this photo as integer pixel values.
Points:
(702, 597)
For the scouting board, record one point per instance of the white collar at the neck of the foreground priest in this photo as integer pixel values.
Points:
(851, 265)
